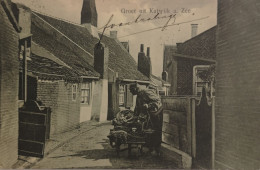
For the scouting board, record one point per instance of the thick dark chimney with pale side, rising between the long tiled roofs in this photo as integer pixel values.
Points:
(101, 55)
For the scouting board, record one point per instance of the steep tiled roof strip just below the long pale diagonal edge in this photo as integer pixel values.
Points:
(46, 38)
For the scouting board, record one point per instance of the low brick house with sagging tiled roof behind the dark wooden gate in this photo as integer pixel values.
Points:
(57, 86)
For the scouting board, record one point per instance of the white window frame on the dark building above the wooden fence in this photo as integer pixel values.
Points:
(196, 78)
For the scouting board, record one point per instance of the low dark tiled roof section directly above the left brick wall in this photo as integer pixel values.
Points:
(47, 69)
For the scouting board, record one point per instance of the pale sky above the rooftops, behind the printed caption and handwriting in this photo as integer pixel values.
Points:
(123, 11)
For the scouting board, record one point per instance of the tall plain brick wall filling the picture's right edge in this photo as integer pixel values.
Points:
(237, 85)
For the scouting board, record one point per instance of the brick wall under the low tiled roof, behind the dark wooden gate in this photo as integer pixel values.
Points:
(58, 96)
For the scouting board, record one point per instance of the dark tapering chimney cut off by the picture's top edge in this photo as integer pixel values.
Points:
(89, 13)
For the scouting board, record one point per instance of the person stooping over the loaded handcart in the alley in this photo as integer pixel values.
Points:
(148, 101)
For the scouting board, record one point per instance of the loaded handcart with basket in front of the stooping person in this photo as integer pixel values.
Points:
(131, 130)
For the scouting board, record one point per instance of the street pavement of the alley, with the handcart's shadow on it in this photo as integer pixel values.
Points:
(91, 149)
